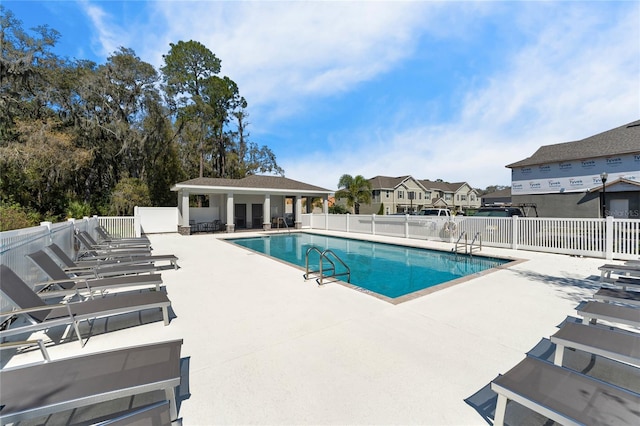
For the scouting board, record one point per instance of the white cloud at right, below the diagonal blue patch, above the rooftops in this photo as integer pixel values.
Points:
(576, 78)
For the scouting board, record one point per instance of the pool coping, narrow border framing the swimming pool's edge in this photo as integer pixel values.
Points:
(512, 261)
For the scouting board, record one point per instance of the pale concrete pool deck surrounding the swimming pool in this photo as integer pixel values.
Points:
(266, 347)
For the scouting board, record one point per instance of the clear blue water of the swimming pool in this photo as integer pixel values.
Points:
(386, 269)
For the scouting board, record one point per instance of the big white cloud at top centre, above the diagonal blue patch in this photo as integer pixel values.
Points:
(282, 52)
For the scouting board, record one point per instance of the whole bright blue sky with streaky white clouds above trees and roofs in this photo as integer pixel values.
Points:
(437, 90)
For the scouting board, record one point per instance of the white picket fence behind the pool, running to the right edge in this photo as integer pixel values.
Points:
(608, 238)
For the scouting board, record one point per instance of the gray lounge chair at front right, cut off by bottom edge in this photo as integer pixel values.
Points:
(564, 396)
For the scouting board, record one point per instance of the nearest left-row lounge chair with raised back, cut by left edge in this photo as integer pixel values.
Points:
(41, 316)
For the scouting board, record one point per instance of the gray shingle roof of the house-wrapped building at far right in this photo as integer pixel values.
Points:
(621, 140)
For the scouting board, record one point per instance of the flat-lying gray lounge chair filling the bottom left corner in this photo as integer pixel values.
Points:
(39, 390)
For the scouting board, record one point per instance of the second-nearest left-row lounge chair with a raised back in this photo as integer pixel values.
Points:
(68, 285)
